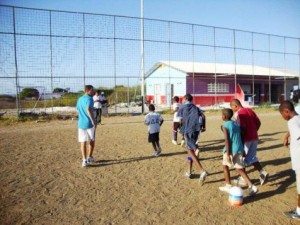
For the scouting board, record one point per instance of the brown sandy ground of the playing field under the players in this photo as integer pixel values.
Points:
(42, 181)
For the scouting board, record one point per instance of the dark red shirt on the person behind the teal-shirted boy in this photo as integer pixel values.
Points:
(249, 123)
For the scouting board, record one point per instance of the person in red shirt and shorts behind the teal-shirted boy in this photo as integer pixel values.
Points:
(249, 124)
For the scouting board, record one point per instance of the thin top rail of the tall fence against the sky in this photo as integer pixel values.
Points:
(168, 21)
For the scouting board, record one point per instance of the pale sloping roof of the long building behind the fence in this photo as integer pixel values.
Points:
(224, 69)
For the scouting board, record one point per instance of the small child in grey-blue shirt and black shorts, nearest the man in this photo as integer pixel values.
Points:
(154, 120)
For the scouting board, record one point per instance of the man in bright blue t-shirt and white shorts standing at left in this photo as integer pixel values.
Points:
(86, 125)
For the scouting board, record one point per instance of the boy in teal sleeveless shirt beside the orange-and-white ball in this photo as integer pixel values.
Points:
(233, 152)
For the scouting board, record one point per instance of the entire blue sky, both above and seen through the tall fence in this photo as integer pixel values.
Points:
(276, 17)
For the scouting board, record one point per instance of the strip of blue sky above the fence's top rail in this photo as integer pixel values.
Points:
(278, 17)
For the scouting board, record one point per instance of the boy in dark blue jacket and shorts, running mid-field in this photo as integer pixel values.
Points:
(189, 114)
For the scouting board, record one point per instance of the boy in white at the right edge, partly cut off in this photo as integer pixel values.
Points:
(288, 113)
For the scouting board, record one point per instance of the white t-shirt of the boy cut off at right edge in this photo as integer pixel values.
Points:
(294, 129)
